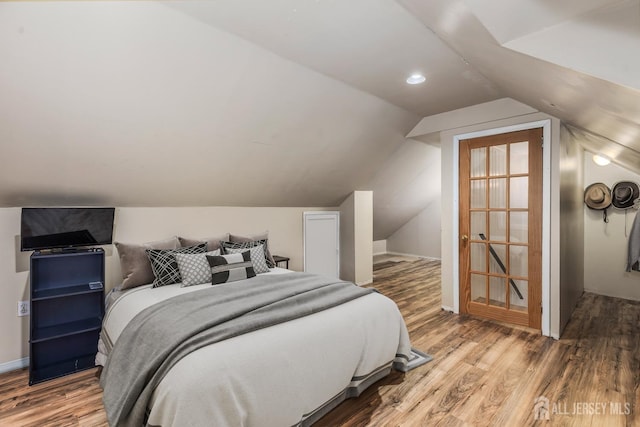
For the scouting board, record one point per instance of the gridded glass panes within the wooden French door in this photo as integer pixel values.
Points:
(499, 194)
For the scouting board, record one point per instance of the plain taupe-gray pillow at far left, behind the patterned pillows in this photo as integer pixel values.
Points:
(135, 264)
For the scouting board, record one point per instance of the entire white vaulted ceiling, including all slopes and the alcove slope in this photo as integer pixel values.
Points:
(290, 102)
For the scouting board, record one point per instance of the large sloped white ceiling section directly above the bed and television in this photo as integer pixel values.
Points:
(137, 104)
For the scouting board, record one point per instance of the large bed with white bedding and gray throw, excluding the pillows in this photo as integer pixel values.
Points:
(291, 372)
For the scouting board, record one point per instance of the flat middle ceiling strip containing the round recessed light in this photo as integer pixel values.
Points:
(370, 45)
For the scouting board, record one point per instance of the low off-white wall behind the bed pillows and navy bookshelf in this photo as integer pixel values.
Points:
(138, 225)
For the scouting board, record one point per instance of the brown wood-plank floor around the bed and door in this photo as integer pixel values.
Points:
(483, 373)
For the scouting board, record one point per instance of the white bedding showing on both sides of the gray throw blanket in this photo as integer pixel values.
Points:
(275, 376)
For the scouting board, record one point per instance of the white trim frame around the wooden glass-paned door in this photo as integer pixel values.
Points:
(546, 212)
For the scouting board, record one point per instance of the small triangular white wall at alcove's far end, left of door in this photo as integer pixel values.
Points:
(420, 236)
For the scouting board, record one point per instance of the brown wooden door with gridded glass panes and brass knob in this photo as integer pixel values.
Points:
(501, 227)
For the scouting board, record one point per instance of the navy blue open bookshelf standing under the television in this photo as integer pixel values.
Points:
(67, 308)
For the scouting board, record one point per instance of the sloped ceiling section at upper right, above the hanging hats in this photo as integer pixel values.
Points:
(571, 59)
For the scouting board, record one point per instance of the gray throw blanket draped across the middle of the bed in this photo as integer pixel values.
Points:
(159, 336)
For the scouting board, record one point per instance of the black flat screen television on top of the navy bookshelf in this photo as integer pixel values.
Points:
(55, 228)
